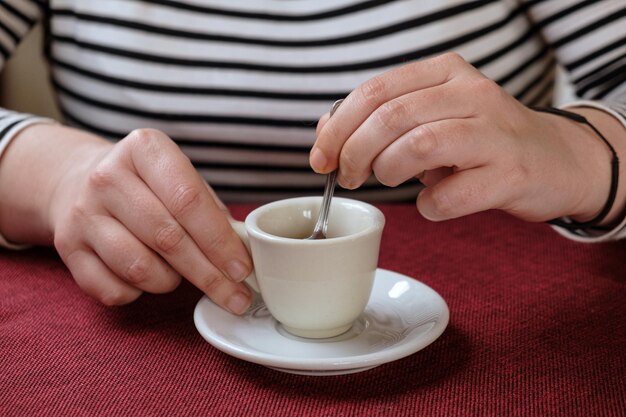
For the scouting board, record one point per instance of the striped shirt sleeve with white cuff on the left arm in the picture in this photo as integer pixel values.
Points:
(17, 17)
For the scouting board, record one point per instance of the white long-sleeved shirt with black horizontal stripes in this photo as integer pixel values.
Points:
(239, 85)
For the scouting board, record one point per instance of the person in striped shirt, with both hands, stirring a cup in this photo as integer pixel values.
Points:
(238, 86)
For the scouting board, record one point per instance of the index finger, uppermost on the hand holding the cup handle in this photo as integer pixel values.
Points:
(183, 192)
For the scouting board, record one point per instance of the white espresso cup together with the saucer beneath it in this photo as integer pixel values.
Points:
(325, 309)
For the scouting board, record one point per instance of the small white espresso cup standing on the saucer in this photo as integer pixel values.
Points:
(314, 288)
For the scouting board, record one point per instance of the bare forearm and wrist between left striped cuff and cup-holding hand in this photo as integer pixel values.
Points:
(31, 169)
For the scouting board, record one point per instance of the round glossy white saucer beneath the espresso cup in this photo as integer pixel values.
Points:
(403, 316)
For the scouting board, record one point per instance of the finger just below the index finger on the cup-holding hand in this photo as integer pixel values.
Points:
(130, 201)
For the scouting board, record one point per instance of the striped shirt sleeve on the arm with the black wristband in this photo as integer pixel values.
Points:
(589, 40)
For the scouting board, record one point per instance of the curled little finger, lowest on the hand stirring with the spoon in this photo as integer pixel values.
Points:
(465, 192)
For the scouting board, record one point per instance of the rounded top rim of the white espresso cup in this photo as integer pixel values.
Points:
(253, 229)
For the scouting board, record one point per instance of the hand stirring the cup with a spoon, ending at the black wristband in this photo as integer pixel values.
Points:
(474, 146)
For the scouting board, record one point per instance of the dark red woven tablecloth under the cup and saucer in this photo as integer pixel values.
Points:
(538, 327)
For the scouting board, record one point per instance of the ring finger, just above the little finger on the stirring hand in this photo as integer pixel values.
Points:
(460, 143)
